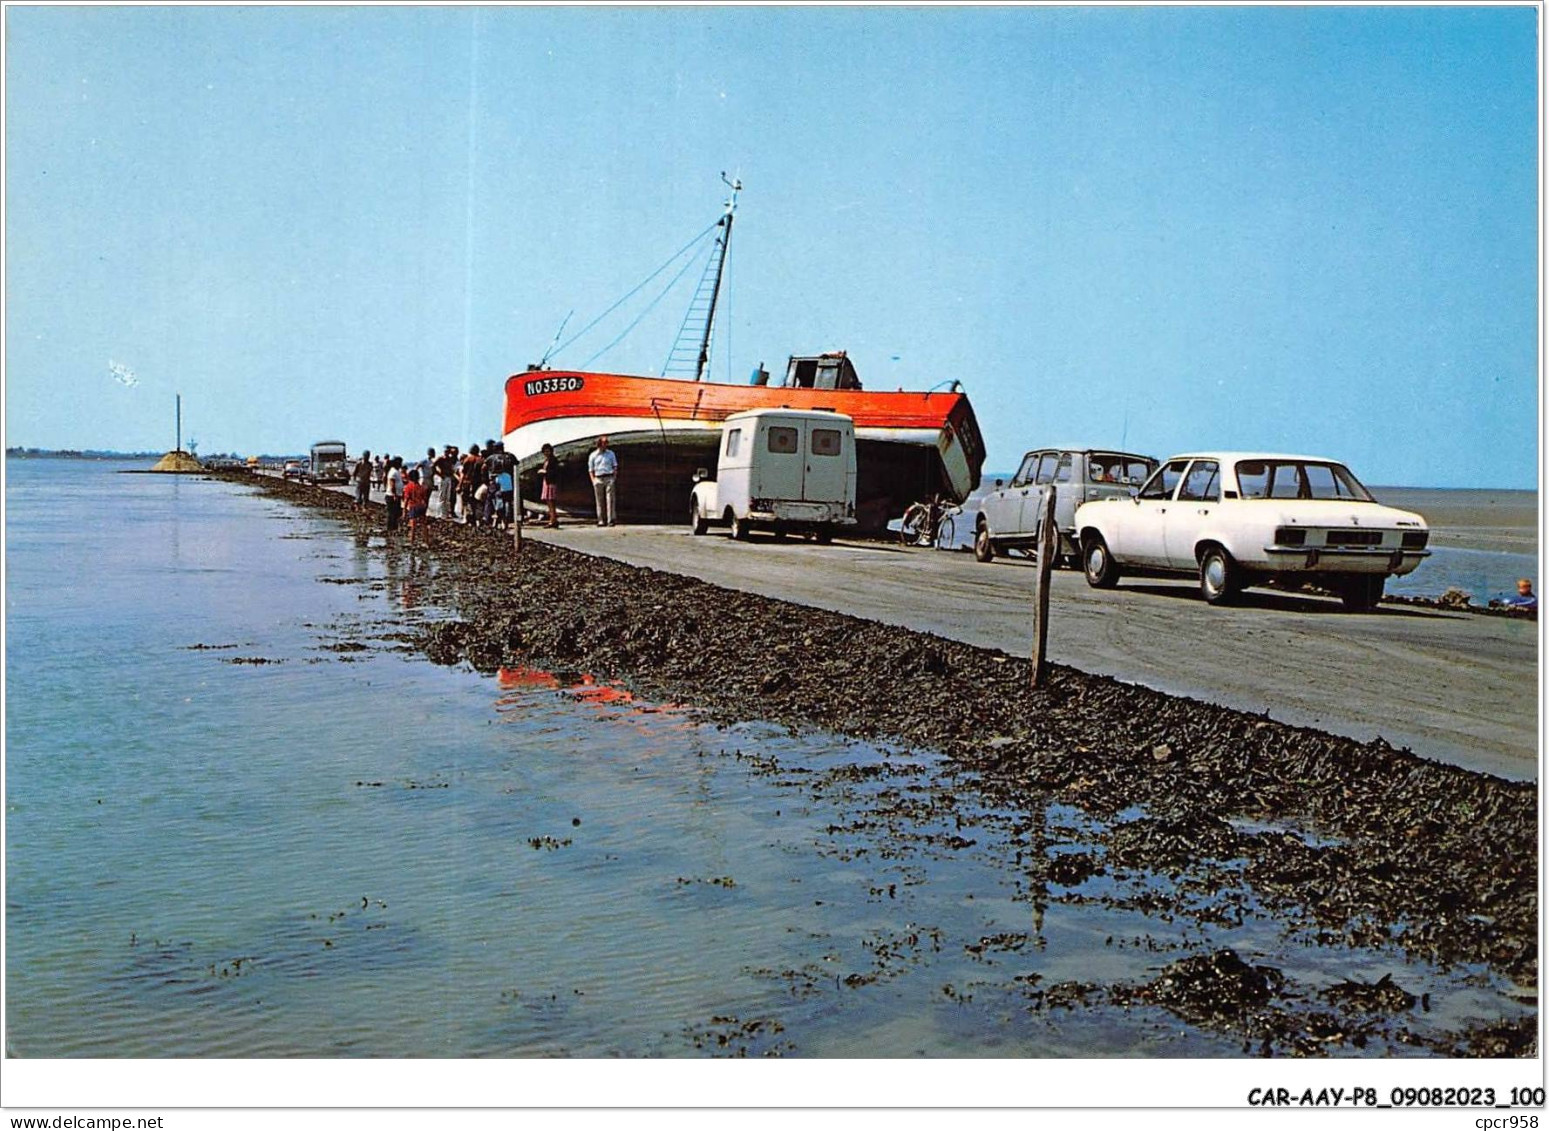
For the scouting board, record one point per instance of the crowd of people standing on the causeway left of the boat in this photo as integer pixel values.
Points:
(478, 487)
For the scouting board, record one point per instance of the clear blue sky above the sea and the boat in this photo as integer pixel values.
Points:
(1173, 229)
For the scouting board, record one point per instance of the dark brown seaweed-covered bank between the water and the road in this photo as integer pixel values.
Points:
(1348, 845)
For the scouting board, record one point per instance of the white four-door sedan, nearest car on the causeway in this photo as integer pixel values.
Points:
(1245, 518)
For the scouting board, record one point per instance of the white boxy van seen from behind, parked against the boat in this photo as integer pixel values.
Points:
(783, 470)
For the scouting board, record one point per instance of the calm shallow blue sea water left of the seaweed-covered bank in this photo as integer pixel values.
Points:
(346, 851)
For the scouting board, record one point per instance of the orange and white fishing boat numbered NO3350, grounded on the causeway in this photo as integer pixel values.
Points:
(908, 445)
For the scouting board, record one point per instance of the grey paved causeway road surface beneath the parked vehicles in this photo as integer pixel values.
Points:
(1452, 687)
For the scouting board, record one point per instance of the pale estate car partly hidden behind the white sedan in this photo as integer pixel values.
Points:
(1009, 515)
